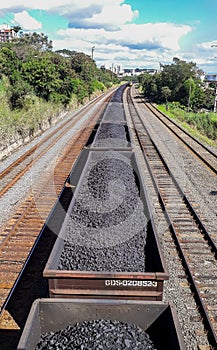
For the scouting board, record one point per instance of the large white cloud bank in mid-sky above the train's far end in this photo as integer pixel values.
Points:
(132, 45)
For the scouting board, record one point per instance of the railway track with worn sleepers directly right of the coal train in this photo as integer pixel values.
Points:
(194, 243)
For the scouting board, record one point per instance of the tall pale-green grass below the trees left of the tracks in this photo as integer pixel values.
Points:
(32, 119)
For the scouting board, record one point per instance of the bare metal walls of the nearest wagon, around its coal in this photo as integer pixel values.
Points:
(159, 320)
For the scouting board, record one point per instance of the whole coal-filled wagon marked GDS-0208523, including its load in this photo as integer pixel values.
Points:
(107, 245)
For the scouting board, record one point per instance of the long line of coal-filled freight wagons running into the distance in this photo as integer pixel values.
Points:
(106, 268)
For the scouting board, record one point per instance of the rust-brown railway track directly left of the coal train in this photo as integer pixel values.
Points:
(20, 225)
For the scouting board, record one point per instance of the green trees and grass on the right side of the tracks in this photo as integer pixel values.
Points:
(181, 93)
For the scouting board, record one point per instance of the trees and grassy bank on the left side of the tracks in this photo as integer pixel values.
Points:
(36, 83)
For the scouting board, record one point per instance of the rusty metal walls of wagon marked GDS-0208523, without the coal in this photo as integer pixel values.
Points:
(148, 284)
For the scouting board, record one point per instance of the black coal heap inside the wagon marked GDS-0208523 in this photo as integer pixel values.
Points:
(106, 230)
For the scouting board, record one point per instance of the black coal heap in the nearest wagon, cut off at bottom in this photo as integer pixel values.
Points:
(97, 335)
